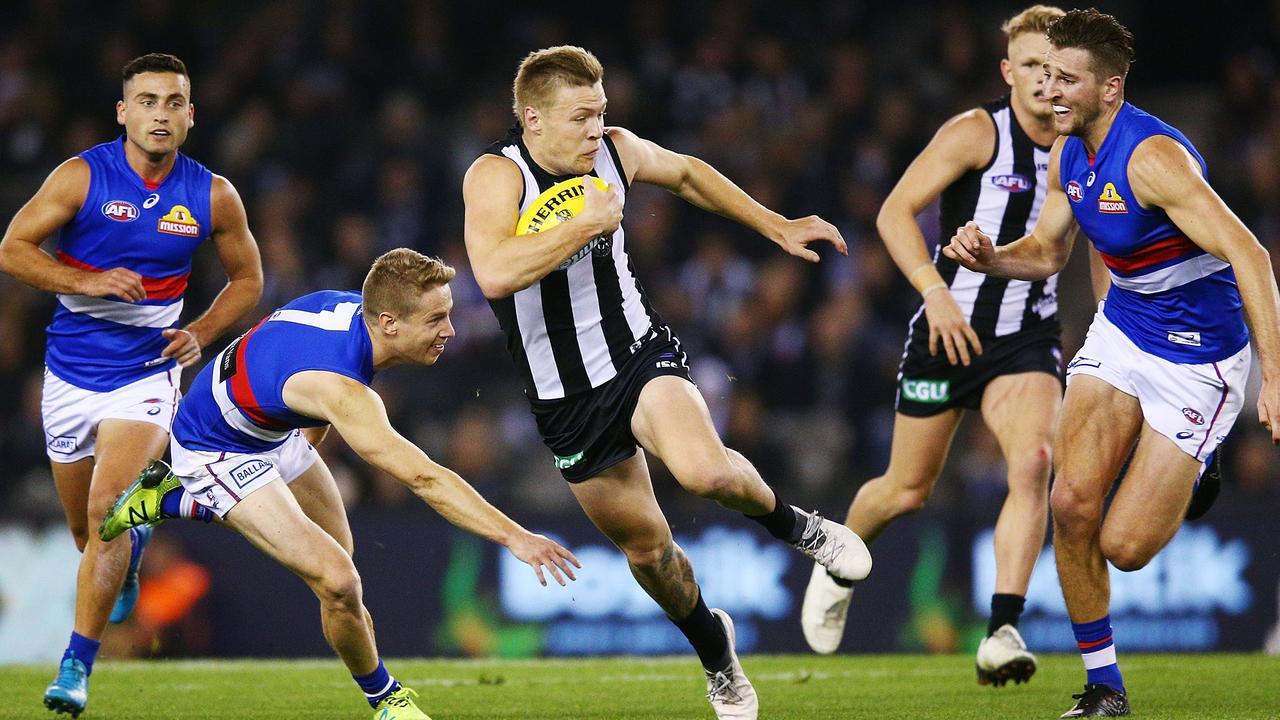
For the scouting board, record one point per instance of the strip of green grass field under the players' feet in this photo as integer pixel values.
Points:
(790, 687)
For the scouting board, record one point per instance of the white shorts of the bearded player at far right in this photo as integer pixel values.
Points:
(1195, 405)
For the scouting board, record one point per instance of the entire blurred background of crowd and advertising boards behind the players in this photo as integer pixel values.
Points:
(348, 126)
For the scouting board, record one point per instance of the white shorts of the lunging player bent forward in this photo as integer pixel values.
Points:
(221, 480)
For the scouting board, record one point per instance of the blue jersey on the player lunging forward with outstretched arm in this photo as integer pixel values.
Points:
(236, 402)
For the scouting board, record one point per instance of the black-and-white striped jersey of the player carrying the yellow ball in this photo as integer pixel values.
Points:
(573, 330)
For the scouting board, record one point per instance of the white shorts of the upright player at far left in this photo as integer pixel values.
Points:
(72, 413)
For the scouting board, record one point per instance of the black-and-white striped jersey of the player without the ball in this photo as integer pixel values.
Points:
(1005, 199)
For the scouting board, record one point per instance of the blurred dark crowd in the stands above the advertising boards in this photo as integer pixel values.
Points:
(348, 127)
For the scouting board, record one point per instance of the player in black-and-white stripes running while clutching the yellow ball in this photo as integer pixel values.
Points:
(601, 370)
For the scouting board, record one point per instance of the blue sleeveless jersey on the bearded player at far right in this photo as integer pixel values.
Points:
(1171, 298)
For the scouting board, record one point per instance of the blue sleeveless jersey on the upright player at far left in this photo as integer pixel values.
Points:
(102, 344)
